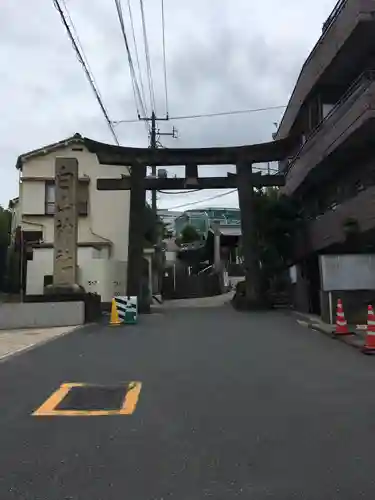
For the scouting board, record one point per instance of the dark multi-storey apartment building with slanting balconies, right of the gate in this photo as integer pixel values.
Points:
(332, 174)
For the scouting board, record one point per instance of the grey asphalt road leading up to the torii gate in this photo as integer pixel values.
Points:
(232, 405)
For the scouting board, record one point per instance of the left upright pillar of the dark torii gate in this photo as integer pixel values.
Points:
(136, 234)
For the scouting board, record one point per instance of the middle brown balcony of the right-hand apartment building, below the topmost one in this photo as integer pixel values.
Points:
(345, 129)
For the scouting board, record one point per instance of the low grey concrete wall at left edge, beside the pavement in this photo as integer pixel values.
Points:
(41, 315)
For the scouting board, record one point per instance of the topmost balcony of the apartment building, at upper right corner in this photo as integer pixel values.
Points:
(341, 53)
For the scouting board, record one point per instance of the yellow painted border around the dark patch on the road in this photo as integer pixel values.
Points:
(47, 409)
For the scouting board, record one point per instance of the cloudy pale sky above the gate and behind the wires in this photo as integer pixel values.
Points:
(221, 55)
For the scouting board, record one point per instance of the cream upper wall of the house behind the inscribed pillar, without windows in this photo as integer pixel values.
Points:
(108, 212)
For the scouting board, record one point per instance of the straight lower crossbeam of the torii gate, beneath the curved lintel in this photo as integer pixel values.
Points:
(124, 184)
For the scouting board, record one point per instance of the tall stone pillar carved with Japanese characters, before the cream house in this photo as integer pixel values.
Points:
(66, 222)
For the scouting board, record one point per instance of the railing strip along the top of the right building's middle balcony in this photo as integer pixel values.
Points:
(339, 109)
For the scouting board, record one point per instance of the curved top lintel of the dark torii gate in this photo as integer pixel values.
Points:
(257, 153)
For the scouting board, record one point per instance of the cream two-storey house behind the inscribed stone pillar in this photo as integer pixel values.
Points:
(103, 224)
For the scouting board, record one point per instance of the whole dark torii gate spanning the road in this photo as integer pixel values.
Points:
(244, 180)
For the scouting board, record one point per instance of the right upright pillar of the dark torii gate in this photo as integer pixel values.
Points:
(253, 298)
